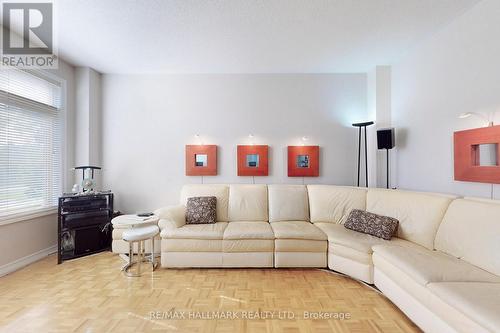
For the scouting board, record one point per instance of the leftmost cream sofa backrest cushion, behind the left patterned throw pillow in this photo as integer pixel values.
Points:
(221, 192)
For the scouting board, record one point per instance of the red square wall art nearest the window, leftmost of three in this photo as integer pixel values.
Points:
(201, 160)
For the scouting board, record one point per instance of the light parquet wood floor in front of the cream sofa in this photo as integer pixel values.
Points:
(92, 295)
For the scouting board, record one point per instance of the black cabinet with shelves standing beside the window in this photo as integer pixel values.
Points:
(84, 225)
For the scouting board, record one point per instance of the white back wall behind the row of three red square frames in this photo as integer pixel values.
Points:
(147, 121)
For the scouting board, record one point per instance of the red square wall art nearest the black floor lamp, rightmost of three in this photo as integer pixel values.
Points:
(303, 161)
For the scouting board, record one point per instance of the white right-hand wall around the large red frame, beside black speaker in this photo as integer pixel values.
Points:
(456, 71)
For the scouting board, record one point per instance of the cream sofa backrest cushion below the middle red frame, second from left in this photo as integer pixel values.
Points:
(248, 203)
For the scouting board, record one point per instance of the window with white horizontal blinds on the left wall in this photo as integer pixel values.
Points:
(30, 142)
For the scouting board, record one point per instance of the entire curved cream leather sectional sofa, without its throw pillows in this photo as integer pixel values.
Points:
(442, 269)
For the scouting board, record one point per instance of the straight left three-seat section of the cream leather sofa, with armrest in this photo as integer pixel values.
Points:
(247, 233)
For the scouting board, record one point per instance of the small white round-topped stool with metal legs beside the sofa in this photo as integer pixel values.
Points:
(140, 235)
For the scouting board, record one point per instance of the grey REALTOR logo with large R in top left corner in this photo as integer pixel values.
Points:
(27, 35)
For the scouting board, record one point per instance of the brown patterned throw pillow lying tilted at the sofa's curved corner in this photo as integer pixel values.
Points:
(371, 224)
